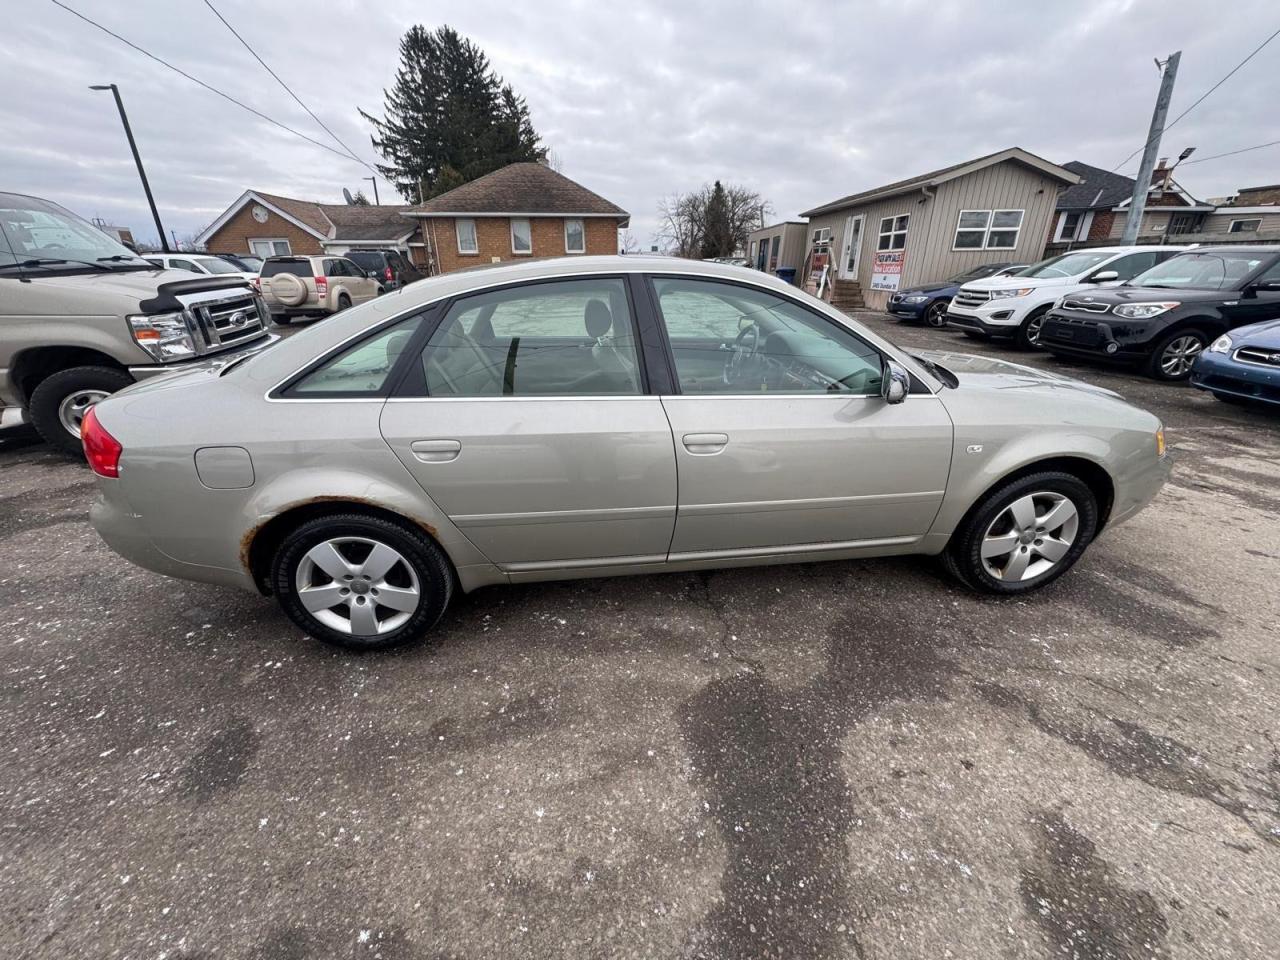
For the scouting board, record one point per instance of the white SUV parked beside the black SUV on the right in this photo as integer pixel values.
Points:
(1014, 308)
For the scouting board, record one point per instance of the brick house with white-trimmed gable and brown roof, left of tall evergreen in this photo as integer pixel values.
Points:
(266, 225)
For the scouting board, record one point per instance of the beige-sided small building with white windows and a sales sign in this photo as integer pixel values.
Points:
(935, 226)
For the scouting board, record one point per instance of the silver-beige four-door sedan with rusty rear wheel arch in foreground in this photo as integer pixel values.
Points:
(598, 417)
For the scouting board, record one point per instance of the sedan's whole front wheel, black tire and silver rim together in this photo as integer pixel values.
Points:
(1025, 536)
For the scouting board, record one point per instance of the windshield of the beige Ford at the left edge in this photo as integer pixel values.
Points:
(56, 239)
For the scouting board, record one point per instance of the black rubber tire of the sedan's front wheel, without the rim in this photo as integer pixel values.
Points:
(963, 557)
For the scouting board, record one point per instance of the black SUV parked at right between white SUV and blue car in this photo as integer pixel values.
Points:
(1165, 318)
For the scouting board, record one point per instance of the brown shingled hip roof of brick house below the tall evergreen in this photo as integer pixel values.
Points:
(522, 189)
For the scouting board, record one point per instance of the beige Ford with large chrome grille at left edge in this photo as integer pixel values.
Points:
(83, 317)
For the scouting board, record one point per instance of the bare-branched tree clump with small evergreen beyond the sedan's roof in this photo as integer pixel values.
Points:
(711, 222)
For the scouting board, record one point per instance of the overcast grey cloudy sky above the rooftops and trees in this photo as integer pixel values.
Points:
(638, 102)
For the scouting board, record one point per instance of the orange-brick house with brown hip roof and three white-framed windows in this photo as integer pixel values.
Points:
(522, 211)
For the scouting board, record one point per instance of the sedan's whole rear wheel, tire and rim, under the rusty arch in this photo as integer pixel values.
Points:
(362, 583)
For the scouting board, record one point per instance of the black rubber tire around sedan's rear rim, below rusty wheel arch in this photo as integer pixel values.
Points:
(419, 552)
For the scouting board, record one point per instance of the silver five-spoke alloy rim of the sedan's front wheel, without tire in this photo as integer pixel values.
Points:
(1030, 537)
